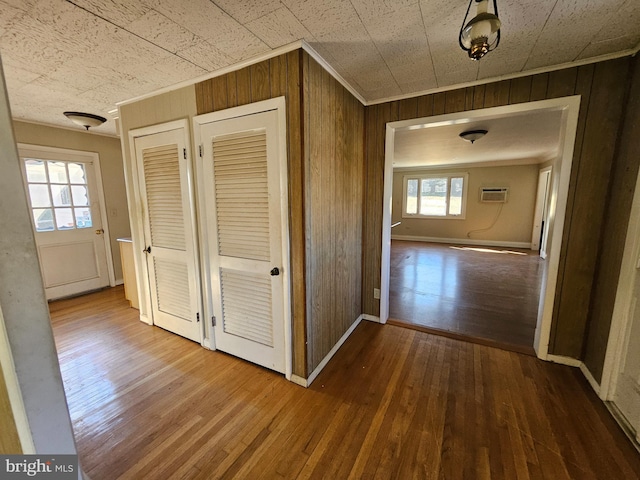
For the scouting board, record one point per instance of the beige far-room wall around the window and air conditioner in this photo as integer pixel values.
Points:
(513, 225)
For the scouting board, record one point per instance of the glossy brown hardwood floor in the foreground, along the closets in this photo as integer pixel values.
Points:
(393, 403)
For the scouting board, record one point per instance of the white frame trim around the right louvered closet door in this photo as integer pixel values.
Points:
(279, 105)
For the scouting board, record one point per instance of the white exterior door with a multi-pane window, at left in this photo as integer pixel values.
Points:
(64, 198)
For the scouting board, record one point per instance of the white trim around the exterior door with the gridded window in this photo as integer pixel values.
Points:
(95, 160)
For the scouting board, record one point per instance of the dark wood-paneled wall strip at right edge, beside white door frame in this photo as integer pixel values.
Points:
(614, 232)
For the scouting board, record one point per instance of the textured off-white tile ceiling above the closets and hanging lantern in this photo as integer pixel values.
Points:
(87, 55)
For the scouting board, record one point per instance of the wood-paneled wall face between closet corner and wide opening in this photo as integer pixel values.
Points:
(334, 153)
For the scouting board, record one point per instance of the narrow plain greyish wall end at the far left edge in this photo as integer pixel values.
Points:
(24, 307)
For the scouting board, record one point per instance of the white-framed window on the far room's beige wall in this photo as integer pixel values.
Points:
(435, 196)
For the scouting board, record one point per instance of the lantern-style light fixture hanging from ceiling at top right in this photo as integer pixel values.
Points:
(481, 34)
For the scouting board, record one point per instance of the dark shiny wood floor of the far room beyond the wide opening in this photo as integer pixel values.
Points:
(486, 294)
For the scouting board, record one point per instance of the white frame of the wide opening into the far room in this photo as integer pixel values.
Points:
(568, 108)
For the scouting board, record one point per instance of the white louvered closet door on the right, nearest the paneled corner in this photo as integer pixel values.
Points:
(242, 189)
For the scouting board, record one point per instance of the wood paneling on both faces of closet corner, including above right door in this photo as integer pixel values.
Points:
(325, 128)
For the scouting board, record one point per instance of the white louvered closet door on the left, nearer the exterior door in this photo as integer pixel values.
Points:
(167, 198)
